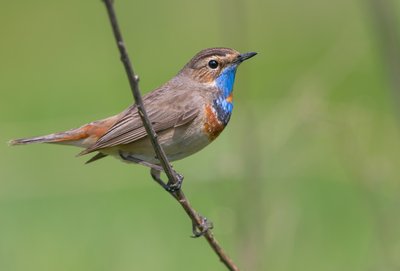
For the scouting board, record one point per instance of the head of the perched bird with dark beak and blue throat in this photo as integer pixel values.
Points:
(216, 66)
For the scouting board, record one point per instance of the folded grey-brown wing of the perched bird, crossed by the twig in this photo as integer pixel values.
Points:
(165, 111)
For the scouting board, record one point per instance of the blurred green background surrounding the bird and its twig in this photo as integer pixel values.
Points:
(306, 177)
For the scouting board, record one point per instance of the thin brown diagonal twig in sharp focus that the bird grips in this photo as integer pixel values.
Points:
(199, 222)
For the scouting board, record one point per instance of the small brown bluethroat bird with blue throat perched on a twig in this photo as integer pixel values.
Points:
(187, 112)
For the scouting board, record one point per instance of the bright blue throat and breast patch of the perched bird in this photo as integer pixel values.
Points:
(224, 83)
